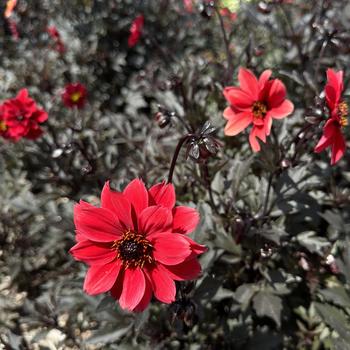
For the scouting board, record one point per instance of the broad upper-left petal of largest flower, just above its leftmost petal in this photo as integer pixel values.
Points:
(96, 224)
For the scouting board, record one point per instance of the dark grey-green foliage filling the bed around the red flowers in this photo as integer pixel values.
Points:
(277, 272)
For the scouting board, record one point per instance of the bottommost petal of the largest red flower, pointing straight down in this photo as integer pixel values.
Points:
(134, 285)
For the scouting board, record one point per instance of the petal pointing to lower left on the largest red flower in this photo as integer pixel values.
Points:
(101, 278)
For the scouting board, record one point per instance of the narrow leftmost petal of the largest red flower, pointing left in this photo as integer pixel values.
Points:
(93, 253)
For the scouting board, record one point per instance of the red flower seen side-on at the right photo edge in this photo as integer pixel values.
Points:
(338, 112)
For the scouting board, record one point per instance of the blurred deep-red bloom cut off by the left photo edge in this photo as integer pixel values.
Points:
(20, 117)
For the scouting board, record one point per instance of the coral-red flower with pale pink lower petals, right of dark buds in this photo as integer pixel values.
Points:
(255, 102)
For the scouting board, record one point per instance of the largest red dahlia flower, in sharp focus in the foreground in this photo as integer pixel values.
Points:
(136, 244)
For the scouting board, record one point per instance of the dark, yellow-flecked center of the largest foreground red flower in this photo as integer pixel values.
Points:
(134, 250)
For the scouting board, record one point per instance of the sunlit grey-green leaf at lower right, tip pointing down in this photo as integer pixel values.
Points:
(269, 305)
